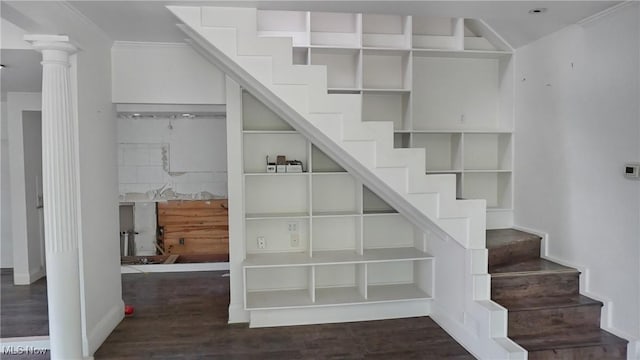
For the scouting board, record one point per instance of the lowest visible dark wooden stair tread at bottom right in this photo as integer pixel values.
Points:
(569, 339)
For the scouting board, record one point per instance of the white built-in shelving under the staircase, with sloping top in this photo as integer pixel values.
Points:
(328, 240)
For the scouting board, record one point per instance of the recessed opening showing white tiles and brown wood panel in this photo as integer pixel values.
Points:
(172, 167)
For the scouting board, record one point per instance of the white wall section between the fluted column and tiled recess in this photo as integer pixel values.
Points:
(100, 240)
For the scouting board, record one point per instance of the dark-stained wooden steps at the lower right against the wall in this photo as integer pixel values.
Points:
(547, 315)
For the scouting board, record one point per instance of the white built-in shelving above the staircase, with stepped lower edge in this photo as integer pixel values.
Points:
(446, 83)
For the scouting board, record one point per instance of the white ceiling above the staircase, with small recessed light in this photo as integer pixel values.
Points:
(150, 21)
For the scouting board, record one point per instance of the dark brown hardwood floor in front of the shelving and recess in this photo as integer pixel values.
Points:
(184, 316)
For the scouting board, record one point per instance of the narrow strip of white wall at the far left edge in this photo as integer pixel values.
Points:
(6, 241)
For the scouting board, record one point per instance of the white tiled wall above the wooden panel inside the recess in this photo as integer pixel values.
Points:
(187, 156)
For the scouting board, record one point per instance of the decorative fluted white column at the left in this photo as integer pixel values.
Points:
(60, 189)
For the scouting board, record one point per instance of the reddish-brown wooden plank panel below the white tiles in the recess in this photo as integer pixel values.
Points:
(192, 227)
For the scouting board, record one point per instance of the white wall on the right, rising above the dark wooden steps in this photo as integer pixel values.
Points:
(577, 124)
